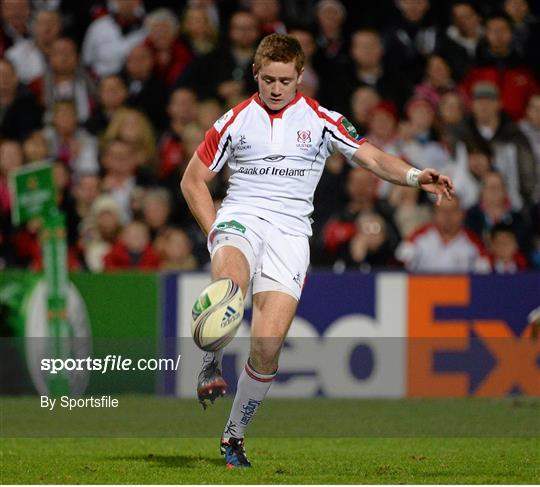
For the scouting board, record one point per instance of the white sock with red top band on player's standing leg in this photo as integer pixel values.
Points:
(251, 390)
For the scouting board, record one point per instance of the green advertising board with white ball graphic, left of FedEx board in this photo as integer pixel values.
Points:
(122, 311)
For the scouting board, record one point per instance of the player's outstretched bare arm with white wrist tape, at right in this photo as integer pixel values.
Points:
(397, 171)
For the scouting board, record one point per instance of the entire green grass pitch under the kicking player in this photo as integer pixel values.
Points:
(329, 456)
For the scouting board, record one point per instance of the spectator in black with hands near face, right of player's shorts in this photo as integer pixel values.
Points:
(370, 248)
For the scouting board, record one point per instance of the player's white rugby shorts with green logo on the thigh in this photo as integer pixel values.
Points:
(278, 261)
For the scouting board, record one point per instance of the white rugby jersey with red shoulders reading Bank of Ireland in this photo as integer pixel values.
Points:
(276, 159)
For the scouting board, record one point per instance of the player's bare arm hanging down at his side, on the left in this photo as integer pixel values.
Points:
(194, 187)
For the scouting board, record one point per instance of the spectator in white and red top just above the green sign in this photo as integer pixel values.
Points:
(73, 146)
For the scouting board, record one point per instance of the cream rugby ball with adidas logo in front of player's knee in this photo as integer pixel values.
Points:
(217, 314)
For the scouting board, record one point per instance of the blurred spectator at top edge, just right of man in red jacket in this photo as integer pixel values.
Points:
(200, 34)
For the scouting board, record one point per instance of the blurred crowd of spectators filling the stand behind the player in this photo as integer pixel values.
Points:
(118, 94)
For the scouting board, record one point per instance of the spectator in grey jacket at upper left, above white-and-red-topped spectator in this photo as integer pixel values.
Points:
(64, 80)
